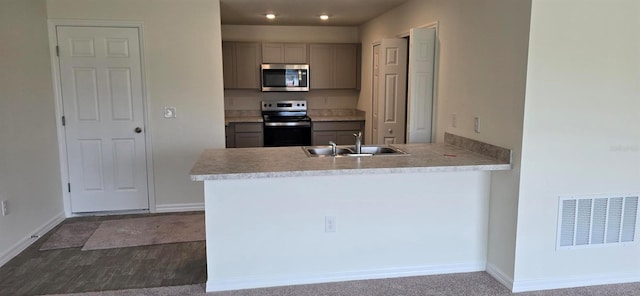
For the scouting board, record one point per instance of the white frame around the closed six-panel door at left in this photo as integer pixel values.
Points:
(62, 146)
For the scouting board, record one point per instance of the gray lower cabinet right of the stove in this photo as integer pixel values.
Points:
(340, 132)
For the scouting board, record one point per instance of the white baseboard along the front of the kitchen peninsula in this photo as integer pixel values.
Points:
(214, 285)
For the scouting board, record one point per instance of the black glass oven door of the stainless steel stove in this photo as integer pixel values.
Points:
(278, 134)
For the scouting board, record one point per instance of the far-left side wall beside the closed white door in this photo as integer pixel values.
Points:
(29, 167)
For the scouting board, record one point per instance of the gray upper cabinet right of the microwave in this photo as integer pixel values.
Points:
(334, 66)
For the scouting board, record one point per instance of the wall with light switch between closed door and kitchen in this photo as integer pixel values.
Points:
(183, 64)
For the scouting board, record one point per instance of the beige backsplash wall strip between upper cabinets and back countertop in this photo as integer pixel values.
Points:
(316, 99)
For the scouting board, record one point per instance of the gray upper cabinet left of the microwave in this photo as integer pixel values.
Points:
(241, 64)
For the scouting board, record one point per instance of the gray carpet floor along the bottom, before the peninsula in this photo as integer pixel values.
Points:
(462, 284)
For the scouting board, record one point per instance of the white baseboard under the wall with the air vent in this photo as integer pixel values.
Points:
(573, 282)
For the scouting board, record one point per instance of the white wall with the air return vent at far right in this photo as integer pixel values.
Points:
(581, 135)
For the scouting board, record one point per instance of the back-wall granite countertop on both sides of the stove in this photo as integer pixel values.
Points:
(249, 116)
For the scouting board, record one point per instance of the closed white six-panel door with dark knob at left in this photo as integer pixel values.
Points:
(102, 97)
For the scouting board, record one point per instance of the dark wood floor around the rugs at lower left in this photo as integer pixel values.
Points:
(35, 272)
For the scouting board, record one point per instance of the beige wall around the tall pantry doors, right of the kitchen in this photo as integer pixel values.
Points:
(482, 69)
